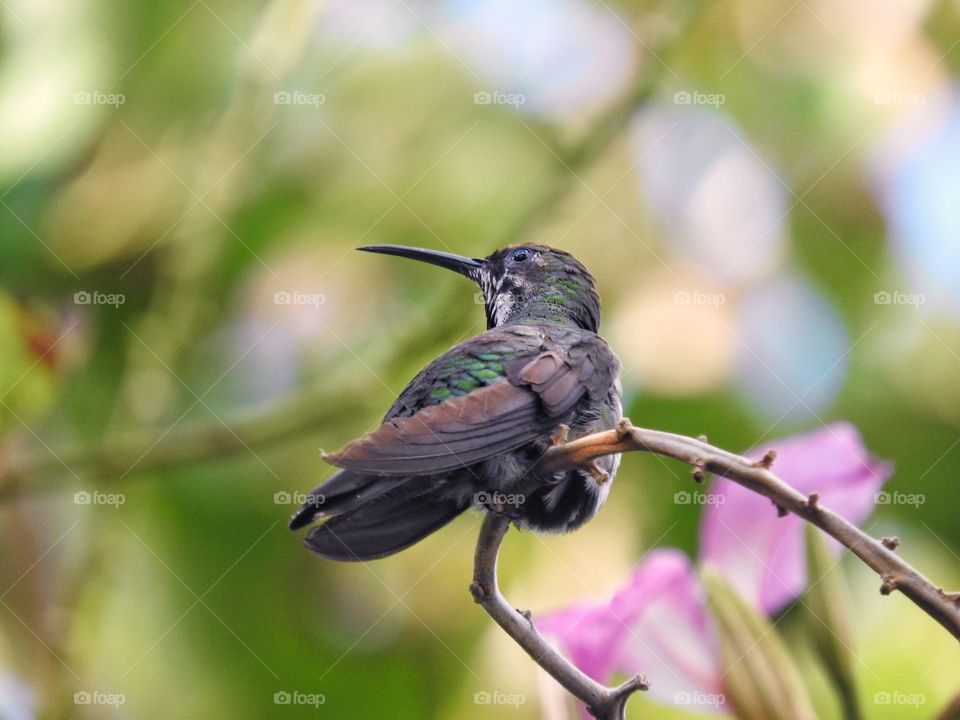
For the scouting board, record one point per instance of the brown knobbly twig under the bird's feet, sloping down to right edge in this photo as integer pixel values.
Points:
(896, 574)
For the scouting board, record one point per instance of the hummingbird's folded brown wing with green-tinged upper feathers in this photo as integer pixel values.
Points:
(534, 388)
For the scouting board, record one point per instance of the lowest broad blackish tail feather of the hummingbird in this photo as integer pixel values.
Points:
(392, 521)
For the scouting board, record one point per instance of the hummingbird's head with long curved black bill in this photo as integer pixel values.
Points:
(521, 283)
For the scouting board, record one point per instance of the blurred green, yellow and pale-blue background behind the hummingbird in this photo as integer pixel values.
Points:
(767, 195)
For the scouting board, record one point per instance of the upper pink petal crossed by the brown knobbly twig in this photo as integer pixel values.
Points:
(762, 555)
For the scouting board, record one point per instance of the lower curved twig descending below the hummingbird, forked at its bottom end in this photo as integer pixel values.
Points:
(603, 703)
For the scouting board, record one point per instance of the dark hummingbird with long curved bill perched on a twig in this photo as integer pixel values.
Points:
(470, 429)
